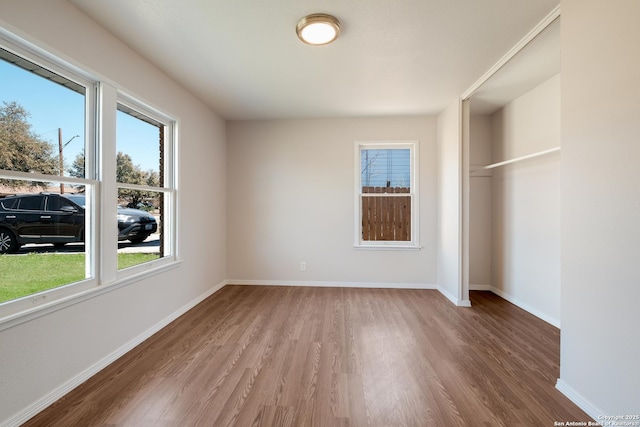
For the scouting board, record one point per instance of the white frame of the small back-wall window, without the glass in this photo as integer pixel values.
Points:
(413, 147)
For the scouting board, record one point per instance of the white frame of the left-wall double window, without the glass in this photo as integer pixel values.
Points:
(101, 99)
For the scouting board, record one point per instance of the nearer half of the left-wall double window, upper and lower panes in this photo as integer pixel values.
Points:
(43, 129)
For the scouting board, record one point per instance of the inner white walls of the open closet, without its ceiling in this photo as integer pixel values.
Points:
(514, 230)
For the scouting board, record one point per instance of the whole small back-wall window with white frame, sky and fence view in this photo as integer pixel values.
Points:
(386, 194)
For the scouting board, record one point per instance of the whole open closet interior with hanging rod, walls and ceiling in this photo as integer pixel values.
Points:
(513, 193)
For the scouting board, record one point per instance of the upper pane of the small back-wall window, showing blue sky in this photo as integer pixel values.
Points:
(385, 168)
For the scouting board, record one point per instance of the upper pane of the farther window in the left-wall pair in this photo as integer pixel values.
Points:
(139, 149)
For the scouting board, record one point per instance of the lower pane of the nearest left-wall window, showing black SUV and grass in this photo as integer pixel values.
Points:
(41, 241)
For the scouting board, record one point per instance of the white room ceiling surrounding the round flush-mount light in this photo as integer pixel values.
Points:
(393, 57)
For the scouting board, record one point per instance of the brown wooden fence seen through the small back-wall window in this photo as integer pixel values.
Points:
(385, 215)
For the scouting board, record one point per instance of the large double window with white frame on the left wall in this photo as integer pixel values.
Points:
(62, 190)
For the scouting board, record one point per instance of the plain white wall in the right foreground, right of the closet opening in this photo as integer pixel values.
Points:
(600, 340)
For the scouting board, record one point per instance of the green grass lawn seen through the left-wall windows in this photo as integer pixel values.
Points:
(22, 275)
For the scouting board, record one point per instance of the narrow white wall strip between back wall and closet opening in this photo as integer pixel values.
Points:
(449, 204)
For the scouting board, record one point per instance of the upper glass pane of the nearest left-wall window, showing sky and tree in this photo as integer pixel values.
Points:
(42, 121)
